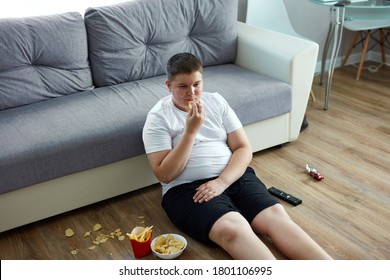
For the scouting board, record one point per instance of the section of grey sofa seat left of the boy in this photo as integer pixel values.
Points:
(73, 133)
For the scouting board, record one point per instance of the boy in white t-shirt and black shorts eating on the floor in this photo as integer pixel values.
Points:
(199, 152)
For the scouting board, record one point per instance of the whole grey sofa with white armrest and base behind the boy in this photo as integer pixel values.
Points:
(75, 92)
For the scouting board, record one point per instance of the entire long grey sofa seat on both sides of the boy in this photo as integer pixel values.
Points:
(81, 131)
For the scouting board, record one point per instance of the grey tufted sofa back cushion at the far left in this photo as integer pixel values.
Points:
(42, 57)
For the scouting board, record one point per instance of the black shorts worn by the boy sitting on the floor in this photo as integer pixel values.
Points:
(248, 196)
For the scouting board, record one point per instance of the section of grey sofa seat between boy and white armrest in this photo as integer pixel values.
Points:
(252, 96)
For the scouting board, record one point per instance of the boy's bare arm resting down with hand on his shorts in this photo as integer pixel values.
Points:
(239, 161)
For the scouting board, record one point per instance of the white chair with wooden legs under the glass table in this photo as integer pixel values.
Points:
(365, 29)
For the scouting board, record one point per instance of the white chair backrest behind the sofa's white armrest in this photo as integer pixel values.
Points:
(271, 14)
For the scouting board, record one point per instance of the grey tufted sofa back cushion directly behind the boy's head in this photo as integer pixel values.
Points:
(134, 40)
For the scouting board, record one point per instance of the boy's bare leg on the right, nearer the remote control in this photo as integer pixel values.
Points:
(287, 236)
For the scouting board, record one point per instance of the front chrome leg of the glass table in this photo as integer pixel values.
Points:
(338, 14)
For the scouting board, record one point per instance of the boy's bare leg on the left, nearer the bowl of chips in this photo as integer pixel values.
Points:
(234, 234)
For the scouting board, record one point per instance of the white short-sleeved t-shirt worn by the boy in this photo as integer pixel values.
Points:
(210, 154)
